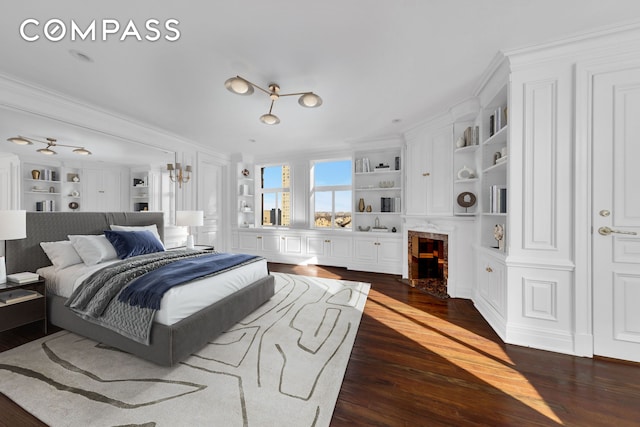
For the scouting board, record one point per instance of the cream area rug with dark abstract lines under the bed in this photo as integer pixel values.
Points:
(283, 365)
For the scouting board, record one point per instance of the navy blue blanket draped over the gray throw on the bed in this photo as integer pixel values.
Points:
(147, 290)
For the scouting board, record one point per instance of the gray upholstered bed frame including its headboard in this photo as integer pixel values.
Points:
(169, 344)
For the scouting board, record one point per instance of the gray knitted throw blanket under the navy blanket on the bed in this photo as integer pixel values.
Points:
(96, 299)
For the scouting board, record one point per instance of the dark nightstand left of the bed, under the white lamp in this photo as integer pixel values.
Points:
(24, 312)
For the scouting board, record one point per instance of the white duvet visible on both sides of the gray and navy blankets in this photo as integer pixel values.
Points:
(180, 301)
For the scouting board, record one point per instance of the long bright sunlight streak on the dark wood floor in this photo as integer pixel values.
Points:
(496, 369)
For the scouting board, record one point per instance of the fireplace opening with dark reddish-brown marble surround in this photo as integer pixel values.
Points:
(429, 262)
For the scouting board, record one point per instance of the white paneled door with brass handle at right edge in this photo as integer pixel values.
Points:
(616, 214)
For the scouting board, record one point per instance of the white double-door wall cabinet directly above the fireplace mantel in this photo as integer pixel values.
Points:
(429, 169)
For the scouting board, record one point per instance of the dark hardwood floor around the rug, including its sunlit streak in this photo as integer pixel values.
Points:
(422, 361)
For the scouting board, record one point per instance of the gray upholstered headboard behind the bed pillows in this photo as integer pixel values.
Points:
(27, 255)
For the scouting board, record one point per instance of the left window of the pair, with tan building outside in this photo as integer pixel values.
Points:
(275, 195)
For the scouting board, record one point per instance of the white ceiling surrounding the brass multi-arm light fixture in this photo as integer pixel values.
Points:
(372, 61)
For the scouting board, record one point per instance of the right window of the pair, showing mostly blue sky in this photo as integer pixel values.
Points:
(331, 194)
